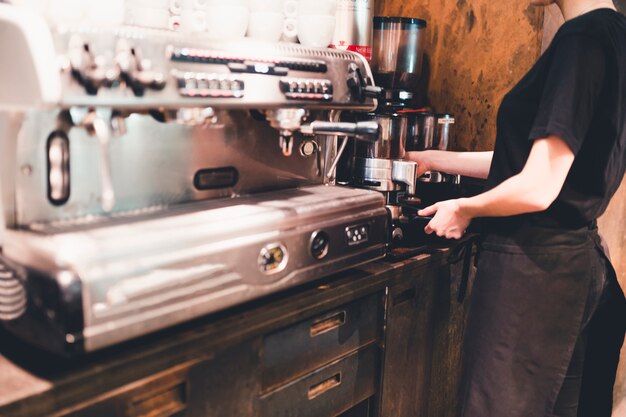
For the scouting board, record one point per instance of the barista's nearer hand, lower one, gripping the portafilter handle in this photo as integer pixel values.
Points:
(448, 220)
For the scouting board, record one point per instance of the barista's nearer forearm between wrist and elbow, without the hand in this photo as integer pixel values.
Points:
(517, 195)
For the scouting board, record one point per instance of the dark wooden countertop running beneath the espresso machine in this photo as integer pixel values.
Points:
(34, 383)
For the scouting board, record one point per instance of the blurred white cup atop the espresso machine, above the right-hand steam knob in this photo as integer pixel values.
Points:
(157, 14)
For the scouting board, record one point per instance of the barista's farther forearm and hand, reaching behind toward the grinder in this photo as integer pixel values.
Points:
(469, 164)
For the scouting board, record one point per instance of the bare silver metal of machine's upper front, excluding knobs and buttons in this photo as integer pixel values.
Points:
(156, 46)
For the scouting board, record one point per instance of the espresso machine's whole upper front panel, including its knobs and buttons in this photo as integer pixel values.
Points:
(132, 68)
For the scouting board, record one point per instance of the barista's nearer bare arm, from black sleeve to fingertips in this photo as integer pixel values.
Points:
(532, 190)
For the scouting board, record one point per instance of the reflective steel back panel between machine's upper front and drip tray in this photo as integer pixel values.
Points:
(153, 165)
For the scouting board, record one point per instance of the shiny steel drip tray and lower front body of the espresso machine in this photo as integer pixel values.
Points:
(141, 276)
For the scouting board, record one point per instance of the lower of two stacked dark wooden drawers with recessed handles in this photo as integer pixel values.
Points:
(328, 391)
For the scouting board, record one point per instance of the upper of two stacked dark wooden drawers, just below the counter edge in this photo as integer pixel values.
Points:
(299, 349)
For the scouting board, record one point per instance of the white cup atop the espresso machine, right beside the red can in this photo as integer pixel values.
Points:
(316, 22)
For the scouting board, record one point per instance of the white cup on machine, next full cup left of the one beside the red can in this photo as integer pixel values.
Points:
(266, 20)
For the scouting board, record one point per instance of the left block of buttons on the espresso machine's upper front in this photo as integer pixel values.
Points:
(202, 85)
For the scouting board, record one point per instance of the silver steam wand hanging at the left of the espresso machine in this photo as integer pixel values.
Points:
(101, 130)
